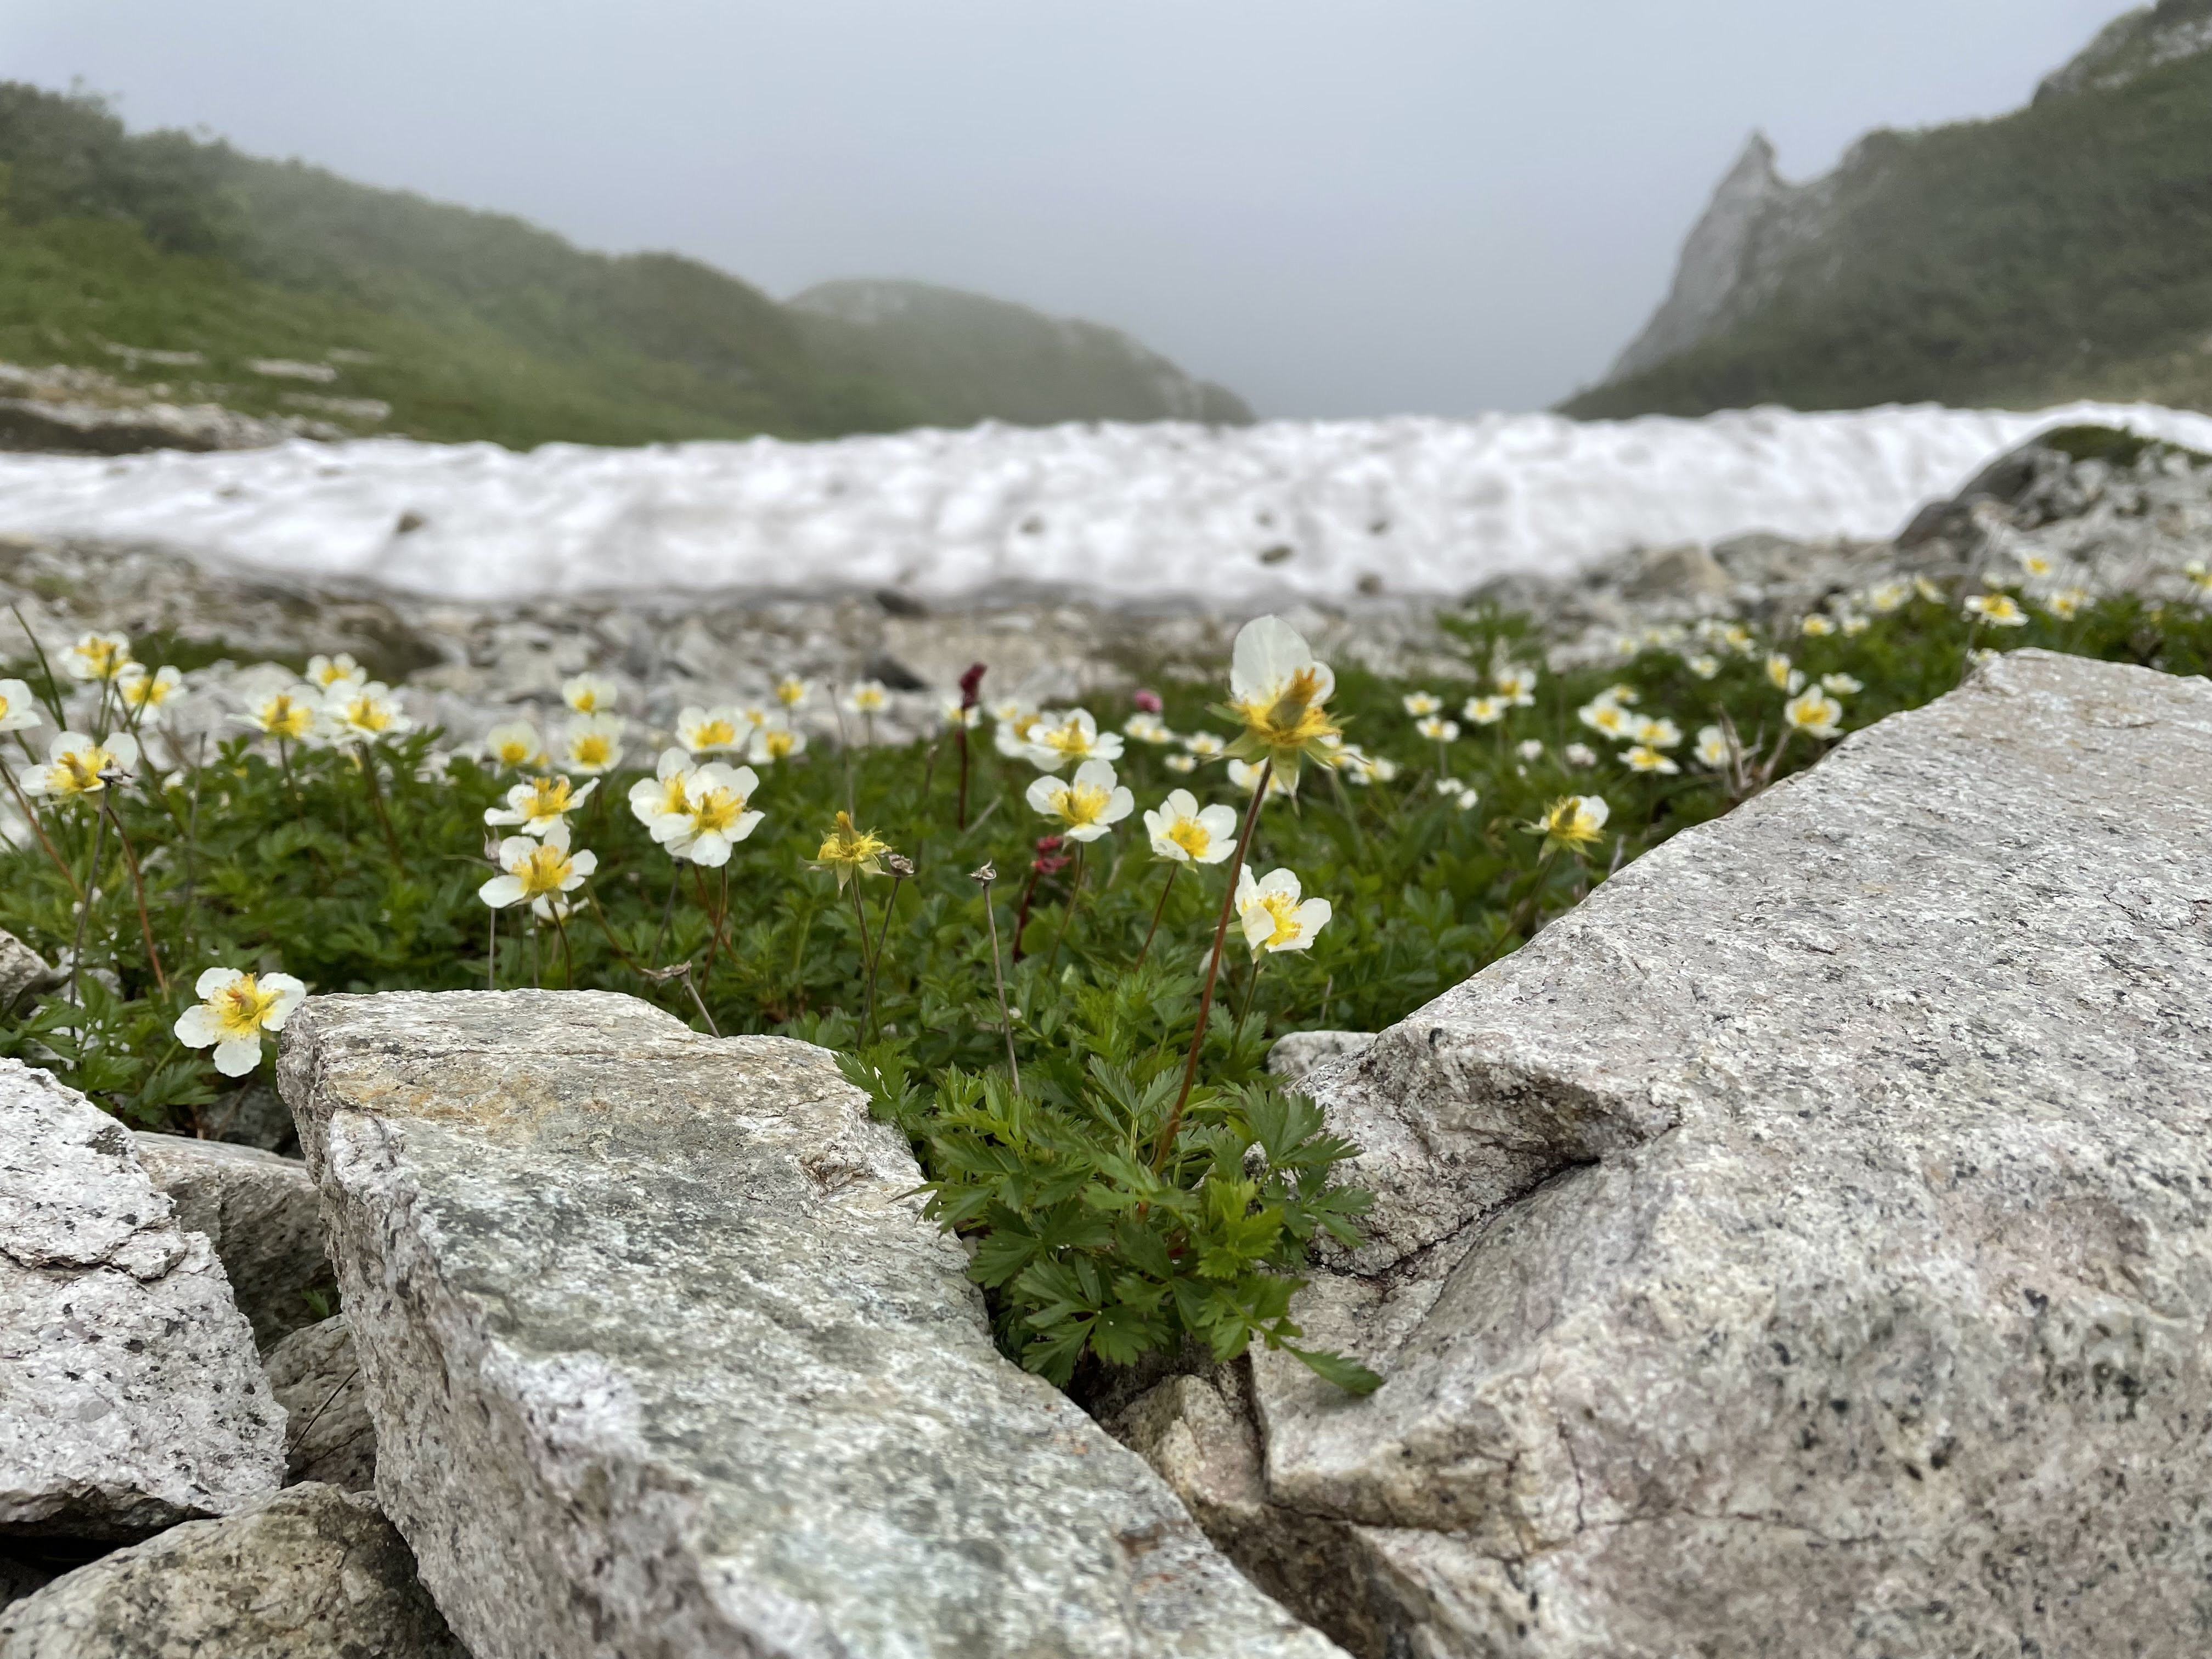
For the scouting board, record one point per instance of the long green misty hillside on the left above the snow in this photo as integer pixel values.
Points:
(275, 289)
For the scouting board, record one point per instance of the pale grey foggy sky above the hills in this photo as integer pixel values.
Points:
(1335, 207)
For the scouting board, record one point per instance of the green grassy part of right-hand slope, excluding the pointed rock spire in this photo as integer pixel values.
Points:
(2047, 255)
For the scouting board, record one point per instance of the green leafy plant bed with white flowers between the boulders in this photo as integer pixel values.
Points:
(1127, 1173)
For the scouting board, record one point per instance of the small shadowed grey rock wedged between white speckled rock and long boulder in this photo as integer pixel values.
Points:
(264, 1220)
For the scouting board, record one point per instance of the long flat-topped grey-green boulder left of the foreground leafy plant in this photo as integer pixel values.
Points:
(665, 1359)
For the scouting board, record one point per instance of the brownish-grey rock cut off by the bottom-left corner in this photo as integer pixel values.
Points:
(309, 1574)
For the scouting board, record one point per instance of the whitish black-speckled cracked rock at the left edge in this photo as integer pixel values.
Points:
(129, 1388)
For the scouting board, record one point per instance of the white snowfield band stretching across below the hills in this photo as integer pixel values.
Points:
(1136, 514)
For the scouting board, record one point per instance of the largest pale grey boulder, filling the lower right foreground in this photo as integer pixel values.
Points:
(1806, 1244)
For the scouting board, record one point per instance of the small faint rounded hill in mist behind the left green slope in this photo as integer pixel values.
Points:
(970, 357)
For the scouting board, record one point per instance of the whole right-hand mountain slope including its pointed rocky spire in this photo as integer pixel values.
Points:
(2045, 255)
